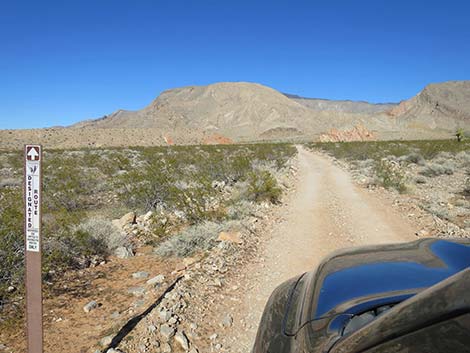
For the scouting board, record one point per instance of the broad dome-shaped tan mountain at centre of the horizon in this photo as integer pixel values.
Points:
(235, 109)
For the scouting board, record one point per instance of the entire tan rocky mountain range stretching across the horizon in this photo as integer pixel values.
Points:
(244, 112)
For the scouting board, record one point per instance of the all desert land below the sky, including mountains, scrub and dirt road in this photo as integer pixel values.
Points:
(166, 229)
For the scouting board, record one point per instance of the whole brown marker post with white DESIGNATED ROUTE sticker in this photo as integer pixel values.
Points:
(33, 246)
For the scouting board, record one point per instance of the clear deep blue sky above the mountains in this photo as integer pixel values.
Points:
(68, 60)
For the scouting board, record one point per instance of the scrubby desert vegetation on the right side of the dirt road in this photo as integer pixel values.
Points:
(435, 172)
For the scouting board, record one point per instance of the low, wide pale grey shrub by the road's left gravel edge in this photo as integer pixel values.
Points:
(195, 238)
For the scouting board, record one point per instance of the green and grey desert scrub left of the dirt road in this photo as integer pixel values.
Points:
(187, 193)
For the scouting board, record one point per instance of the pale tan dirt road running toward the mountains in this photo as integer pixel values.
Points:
(325, 213)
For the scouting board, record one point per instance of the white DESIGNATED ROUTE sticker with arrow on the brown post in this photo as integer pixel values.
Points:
(33, 198)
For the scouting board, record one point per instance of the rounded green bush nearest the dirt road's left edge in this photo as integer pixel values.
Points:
(262, 186)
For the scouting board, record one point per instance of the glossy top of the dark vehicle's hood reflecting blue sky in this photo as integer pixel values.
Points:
(347, 280)
